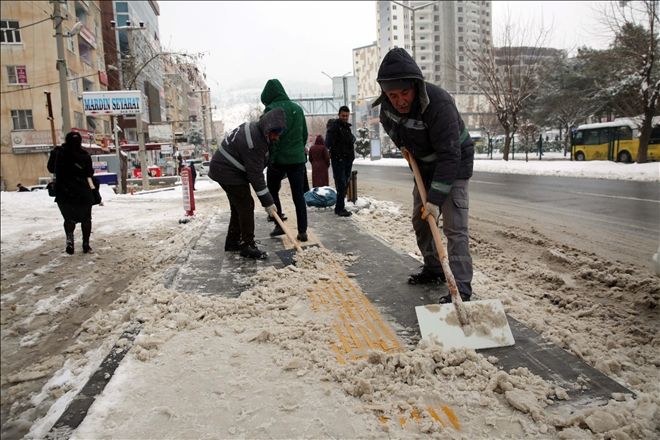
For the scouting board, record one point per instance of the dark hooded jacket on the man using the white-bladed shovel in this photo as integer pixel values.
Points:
(433, 131)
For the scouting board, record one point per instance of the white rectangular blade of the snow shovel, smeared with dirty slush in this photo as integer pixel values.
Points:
(488, 326)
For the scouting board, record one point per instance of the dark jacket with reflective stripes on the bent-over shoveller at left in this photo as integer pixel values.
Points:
(243, 155)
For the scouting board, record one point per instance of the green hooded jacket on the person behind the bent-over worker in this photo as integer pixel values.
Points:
(290, 148)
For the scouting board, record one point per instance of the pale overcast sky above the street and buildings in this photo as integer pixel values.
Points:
(246, 42)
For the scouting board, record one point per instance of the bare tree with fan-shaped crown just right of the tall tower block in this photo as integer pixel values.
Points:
(507, 75)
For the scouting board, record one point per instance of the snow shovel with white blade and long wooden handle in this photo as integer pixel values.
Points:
(475, 324)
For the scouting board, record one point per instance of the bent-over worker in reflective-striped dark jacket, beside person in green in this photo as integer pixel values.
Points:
(238, 163)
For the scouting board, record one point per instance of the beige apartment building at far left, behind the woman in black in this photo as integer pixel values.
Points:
(28, 59)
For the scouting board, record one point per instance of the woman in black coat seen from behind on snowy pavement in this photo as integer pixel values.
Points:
(73, 171)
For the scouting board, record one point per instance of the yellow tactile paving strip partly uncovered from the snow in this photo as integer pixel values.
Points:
(360, 328)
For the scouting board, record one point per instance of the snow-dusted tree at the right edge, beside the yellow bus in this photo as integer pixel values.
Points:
(636, 55)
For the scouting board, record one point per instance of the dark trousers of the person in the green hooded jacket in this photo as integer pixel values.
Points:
(297, 175)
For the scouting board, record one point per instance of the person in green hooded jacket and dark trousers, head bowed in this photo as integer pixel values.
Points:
(288, 157)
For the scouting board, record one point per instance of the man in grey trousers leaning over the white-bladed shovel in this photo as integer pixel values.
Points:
(423, 118)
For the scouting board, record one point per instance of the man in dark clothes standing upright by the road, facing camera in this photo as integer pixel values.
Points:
(340, 141)
